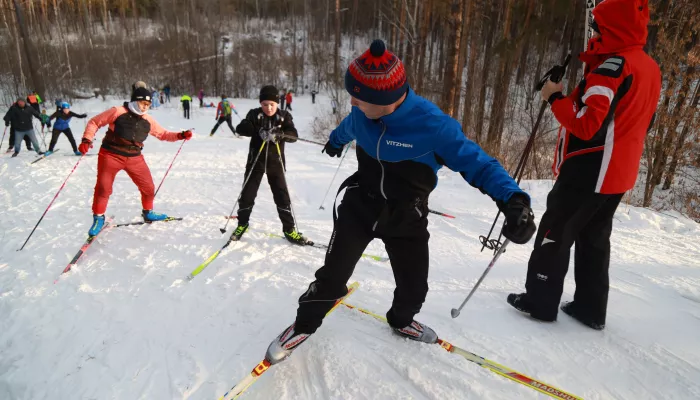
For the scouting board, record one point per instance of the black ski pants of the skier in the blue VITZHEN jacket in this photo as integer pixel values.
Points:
(363, 216)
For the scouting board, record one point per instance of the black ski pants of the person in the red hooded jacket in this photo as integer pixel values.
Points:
(573, 216)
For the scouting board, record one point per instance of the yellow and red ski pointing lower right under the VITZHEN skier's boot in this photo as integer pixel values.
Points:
(488, 364)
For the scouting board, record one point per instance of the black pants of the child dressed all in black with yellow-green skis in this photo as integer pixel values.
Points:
(278, 185)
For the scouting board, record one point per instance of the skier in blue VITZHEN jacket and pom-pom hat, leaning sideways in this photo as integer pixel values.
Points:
(402, 141)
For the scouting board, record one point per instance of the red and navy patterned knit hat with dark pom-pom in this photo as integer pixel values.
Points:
(377, 76)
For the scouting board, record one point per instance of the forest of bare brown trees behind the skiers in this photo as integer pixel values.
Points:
(479, 60)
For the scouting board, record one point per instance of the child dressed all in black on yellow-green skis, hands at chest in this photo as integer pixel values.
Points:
(265, 125)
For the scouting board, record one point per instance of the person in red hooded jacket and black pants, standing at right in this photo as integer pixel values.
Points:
(597, 160)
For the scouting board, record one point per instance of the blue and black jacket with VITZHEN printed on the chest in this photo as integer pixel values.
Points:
(399, 154)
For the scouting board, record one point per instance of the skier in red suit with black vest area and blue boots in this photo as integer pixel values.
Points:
(129, 127)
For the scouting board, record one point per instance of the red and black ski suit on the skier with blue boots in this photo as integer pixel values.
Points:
(121, 150)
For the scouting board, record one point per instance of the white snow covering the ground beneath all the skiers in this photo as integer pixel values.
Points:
(125, 324)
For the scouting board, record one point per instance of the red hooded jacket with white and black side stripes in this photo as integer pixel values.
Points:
(606, 118)
